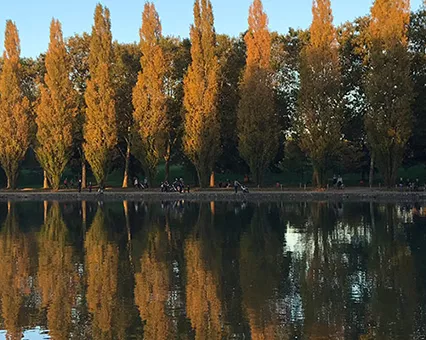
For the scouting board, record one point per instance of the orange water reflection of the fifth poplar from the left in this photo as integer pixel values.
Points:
(203, 257)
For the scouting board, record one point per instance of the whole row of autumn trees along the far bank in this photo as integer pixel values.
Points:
(327, 95)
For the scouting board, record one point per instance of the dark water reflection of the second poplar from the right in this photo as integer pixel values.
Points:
(323, 276)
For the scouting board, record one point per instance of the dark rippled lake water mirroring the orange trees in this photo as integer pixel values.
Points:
(129, 270)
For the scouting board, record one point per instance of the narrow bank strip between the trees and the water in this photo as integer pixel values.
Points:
(354, 195)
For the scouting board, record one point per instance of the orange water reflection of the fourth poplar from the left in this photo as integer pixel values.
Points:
(153, 285)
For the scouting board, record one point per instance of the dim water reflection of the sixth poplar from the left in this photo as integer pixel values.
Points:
(260, 268)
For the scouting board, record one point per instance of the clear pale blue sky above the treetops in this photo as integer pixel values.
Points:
(33, 17)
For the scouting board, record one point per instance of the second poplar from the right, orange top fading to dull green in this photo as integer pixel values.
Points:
(320, 114)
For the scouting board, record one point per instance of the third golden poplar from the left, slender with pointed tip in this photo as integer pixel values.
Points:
(100, 129)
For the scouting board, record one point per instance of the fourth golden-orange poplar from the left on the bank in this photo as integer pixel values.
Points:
(149, 99)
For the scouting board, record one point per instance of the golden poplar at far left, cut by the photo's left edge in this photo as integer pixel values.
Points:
(14, 109)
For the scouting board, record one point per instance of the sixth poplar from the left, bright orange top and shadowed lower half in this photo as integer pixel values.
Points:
(257, 123)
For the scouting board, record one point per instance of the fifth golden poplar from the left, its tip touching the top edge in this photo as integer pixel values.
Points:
(202, 128)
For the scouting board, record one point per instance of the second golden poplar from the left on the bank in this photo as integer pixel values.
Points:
(56, 110)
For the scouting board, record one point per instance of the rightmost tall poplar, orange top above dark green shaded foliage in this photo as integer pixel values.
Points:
(389, 90)
